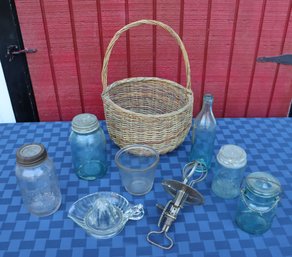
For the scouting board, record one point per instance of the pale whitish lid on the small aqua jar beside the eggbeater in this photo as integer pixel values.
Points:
(232, 156)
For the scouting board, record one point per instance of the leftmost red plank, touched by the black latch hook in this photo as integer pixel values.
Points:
(32, 28)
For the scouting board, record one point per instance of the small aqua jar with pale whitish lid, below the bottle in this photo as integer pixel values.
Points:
(230, 166)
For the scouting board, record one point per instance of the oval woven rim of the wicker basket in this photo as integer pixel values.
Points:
(189, 93)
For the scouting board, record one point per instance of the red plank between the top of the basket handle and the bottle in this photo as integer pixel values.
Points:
(195, 19)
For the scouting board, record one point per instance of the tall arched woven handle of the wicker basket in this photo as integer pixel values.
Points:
(135, 24)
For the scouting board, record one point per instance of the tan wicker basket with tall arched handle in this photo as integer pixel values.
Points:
(147, 110)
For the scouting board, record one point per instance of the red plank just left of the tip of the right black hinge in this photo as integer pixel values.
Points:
(245, 43)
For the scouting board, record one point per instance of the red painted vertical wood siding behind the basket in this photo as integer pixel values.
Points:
(223, 39)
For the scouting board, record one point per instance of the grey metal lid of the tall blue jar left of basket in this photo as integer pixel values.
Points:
(85, 123)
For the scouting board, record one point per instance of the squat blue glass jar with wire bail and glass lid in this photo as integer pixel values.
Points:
(257, 204)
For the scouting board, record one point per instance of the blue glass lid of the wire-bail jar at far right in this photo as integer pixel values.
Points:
(263, 184)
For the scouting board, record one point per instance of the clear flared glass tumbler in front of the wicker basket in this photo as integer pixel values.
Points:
(137, 164)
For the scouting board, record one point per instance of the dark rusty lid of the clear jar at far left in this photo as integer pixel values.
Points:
(31, 154)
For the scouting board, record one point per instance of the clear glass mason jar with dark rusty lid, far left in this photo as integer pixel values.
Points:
(37, 180)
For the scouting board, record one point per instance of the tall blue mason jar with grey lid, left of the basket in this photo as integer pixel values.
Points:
(88, 147)
